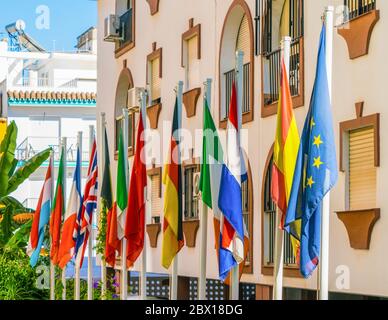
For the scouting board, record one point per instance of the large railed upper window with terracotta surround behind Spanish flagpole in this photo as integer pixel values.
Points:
(282, 18)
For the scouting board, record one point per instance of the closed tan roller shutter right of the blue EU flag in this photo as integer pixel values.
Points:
(362, 170)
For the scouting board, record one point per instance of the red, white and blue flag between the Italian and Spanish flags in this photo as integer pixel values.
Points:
(231, 252)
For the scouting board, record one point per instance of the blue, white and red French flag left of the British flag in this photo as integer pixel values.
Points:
(67, 245)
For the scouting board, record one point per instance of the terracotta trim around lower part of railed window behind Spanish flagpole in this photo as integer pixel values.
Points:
(297, 101)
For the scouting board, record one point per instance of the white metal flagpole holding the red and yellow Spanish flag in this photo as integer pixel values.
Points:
(279, 234)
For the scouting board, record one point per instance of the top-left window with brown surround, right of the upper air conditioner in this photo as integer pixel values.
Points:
(125, 9)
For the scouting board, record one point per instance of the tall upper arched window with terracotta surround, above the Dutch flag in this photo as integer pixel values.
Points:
(237, 34)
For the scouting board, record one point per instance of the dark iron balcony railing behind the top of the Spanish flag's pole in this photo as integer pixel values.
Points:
(272, 71)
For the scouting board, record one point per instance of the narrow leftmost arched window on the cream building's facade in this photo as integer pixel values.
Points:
(125, 83)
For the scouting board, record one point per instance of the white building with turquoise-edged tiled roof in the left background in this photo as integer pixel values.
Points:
(49, 95)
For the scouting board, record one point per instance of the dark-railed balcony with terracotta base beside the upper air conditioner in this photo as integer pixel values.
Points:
(127, 27)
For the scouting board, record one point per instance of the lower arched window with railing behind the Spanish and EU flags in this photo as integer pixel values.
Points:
(269, 227)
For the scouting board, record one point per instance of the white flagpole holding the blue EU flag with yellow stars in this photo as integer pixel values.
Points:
(325, 223)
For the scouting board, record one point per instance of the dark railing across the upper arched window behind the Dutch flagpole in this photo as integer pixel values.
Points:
(229, 78)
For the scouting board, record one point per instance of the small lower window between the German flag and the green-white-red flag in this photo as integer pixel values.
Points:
(191, 192)
